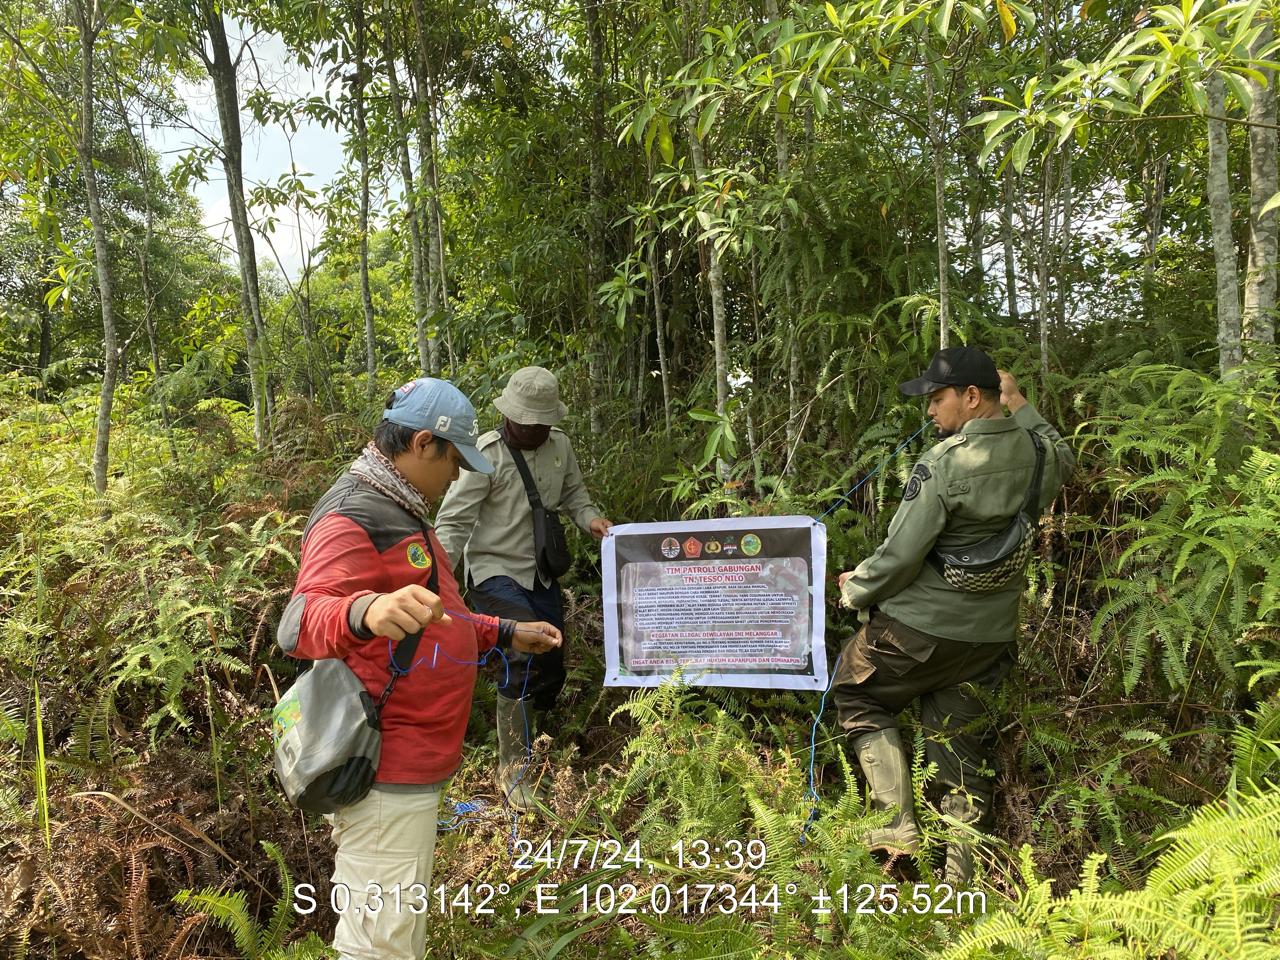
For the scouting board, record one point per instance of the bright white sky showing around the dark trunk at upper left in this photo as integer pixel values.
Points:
(316, 152)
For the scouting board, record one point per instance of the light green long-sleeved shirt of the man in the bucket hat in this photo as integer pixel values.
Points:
(488, 522)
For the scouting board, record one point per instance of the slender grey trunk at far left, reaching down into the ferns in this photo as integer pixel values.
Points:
(85, 152)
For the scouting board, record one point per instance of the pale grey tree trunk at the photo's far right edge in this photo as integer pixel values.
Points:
(1260, 282)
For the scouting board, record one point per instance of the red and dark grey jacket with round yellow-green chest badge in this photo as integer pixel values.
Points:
(360, 543)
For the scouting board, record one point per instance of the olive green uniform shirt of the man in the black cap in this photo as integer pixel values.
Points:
(964, 490)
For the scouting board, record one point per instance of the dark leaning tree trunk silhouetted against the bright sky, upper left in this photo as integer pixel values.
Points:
(222, 72)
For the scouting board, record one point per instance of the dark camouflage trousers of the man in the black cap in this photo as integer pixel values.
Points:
(888, 665)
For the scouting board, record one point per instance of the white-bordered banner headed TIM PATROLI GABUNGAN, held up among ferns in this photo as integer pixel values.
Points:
(729, 602)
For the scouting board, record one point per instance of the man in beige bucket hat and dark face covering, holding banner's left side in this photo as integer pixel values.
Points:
(488, 522)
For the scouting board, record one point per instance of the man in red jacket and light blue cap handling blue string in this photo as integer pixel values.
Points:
(368, 554)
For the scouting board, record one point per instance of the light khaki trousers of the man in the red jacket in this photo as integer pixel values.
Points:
(386, 845)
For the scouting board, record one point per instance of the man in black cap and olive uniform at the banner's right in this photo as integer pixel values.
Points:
(940, 630)
